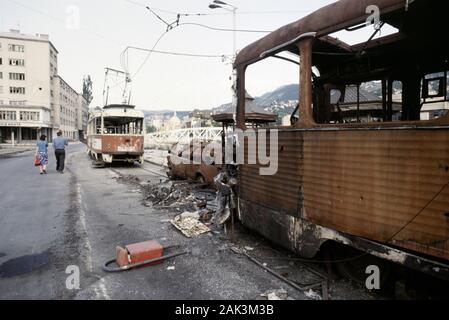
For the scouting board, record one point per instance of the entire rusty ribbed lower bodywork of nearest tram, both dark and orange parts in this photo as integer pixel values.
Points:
(388, 186)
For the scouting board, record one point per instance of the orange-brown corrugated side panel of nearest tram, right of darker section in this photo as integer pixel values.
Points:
(373, 184)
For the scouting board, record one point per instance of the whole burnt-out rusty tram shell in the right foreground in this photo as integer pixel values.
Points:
(379, 183)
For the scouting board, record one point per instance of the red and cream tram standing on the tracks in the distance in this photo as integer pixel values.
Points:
(116, 134)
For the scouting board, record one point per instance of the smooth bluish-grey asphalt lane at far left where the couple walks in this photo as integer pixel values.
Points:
(32, 227)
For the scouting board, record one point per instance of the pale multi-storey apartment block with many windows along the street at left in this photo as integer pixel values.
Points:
(34, 99)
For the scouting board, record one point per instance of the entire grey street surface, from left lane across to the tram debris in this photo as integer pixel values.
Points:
(50, 222)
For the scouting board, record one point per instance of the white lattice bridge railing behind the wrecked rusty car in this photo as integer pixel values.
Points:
(164, 139)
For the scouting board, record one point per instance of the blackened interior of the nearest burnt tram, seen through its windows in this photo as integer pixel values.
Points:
(411, 80)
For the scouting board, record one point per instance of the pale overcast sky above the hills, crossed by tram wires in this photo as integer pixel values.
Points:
(106, 27)
